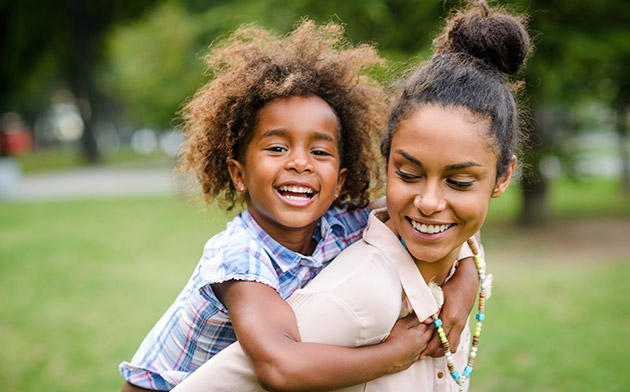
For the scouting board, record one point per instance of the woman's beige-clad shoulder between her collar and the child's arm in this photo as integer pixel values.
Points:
(359, 293)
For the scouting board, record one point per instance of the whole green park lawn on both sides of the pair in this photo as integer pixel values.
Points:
(81, 282)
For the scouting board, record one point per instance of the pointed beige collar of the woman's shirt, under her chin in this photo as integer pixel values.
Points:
(381, 237)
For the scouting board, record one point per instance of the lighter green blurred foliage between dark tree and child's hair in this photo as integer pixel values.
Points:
(153, 65)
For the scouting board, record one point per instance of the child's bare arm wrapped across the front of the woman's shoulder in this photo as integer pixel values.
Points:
(267, 330)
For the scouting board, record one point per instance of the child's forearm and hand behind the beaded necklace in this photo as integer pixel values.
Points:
(460, 293)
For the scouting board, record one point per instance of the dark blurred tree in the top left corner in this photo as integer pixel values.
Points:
(46, 43)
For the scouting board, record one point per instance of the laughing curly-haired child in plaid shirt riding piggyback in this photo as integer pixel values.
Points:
(284, 127)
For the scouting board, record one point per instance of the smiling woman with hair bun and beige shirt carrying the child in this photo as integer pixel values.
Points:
(449, 149)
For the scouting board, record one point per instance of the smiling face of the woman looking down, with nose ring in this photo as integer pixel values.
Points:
(440, 178)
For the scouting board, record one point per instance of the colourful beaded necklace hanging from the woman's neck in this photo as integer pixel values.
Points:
(461, 379)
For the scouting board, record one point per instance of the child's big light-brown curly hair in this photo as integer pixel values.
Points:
(252, 67)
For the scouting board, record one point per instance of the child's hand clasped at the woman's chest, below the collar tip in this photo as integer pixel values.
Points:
(408, 338)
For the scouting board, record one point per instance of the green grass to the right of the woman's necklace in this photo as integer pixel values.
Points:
(554, 327)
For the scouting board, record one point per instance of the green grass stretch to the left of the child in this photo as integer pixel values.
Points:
(82, 282)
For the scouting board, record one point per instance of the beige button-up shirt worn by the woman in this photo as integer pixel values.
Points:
(353, 302)
